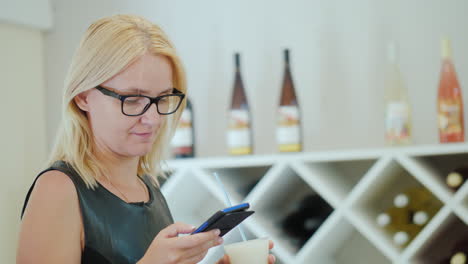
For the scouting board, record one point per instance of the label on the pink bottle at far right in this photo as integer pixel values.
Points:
(450, 117)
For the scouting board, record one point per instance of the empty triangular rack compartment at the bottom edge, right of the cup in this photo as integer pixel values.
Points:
(338, 242)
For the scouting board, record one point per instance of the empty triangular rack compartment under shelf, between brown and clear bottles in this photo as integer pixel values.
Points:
(335, 178)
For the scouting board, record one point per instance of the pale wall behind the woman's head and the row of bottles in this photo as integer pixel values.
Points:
(338, 55)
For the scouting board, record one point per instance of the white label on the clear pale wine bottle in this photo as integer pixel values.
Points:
(397, 127)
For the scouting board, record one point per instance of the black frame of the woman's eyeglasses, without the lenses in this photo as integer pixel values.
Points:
(154, 100)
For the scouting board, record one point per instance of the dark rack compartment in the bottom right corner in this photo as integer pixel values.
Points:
(442, 242)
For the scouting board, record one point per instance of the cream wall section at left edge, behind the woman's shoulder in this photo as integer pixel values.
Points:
(23, 134)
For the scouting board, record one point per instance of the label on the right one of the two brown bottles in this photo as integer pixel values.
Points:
(288, 130)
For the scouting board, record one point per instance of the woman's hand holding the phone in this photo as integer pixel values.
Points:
(168, 248)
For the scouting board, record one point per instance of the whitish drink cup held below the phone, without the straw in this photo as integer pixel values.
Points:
(248, 252)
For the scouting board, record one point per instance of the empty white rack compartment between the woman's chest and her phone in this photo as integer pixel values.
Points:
(189, 198)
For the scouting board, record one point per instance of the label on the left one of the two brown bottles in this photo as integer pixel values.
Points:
(238, 137)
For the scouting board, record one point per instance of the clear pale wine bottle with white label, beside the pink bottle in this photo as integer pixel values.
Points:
(397, 114)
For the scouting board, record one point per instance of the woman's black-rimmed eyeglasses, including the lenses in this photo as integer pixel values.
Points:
(135, 105)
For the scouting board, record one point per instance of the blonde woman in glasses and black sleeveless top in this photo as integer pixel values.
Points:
(99, 200)
